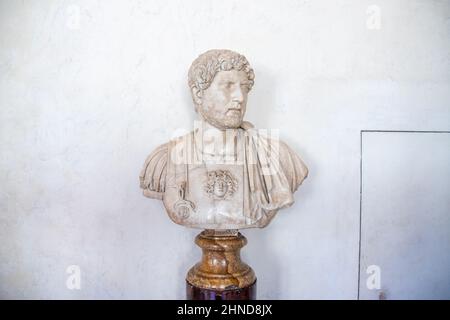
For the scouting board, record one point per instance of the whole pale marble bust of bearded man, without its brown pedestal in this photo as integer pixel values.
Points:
(225, 174)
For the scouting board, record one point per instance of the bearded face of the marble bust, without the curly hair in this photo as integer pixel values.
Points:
(225, 100)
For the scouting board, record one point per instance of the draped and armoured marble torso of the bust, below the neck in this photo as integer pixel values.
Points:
(241, 186)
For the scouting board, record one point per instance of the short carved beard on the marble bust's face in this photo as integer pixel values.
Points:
(229, 119)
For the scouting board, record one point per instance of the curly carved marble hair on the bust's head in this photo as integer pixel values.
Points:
(208, 64)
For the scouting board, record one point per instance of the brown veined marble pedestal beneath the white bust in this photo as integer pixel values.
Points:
(221, 275)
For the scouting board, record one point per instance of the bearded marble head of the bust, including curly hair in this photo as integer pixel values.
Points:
(220, 81)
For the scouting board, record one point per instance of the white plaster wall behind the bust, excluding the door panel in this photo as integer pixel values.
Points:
(89, 88)
